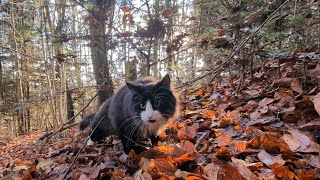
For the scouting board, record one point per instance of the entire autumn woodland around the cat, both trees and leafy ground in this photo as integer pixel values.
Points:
(247, 73)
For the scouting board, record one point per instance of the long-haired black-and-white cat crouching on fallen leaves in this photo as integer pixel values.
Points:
(137, 111)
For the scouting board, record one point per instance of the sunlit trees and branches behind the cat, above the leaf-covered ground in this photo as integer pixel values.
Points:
(54, 54)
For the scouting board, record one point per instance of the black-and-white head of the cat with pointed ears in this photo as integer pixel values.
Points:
(154, 102)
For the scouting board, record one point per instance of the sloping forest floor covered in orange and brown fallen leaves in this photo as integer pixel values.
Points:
(271, 130)
